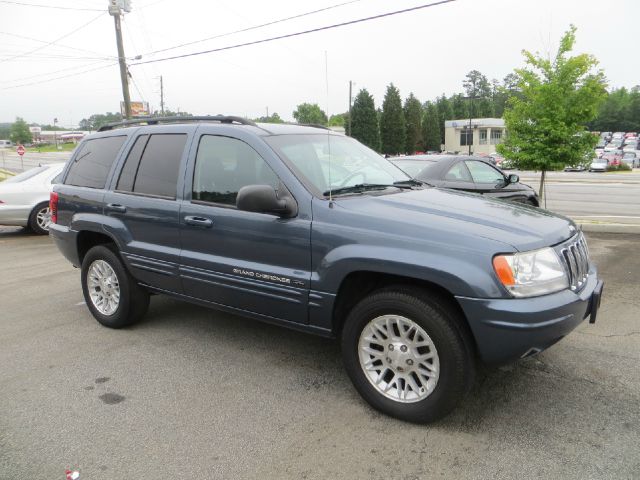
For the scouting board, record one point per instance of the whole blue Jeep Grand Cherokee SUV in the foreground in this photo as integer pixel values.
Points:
(418, 283)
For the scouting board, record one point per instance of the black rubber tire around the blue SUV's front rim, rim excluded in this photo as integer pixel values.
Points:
(442, 323)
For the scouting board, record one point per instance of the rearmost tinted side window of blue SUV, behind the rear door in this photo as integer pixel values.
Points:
(93, 162)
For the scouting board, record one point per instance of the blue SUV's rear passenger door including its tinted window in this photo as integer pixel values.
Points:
(144, 200)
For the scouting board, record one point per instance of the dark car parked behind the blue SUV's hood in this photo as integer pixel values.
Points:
(469, 174)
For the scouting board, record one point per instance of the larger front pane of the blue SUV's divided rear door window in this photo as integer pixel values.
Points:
(158, 170)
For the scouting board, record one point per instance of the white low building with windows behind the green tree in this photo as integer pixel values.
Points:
(482, 134)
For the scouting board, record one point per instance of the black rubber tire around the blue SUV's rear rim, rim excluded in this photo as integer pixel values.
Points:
(134, 300)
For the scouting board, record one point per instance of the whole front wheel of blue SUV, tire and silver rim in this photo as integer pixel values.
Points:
(407, 354)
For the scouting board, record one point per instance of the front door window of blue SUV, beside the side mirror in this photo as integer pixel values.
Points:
(223, 166)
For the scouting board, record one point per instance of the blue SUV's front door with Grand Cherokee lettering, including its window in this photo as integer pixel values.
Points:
(249, 261)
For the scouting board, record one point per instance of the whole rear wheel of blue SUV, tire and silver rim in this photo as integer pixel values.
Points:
(113, 296)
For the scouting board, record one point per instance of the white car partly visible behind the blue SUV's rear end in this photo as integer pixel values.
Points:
(24, 199)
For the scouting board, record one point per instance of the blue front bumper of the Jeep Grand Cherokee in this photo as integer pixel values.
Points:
(508, 329)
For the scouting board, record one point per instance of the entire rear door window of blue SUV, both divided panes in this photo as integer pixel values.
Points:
(152, 165)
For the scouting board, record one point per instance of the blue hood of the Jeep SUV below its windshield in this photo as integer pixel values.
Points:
(521, 226)
